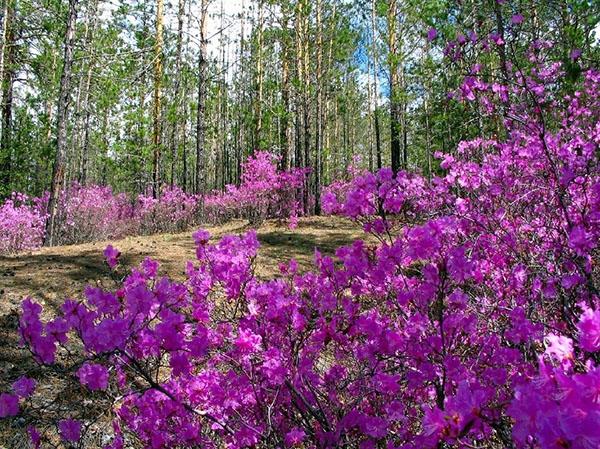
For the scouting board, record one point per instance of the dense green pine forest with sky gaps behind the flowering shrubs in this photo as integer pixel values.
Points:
(142, 94)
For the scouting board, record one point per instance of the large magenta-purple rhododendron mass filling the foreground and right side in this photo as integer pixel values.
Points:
(474, 322)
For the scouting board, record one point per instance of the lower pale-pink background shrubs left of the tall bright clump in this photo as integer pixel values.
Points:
(93, 213)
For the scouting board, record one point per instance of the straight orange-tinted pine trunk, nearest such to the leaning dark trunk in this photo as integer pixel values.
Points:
(156, 107)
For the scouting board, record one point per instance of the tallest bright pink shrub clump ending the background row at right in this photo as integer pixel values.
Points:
(265, 192)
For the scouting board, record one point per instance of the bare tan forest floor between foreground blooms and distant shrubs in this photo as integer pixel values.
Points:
(49, 275)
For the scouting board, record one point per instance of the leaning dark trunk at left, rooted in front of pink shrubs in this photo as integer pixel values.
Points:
(58, 171)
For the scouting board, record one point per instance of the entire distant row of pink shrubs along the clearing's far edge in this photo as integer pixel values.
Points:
(91, 213)
